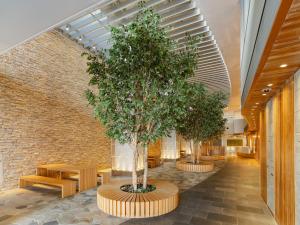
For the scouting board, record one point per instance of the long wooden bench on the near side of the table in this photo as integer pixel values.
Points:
(68, 187)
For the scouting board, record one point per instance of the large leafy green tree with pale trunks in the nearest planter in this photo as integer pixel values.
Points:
(140, 84)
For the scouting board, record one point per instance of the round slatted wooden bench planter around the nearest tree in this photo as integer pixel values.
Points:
(115, 202)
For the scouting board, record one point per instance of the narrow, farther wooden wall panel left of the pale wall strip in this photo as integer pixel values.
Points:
(262, 154)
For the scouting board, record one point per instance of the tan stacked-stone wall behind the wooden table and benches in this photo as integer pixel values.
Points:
(44, 115)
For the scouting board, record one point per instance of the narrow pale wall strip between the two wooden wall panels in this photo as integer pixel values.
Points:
(270, 155)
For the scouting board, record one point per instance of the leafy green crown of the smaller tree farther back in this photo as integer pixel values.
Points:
(204, 119)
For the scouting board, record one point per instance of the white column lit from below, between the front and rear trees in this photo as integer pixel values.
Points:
(170, 147)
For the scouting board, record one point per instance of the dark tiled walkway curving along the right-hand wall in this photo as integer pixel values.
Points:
(231, 196)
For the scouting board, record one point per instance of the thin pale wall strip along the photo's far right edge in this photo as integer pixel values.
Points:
(297, 145)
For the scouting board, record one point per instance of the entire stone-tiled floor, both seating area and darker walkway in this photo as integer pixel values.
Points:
(228, 195)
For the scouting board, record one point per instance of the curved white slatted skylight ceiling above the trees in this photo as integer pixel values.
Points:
(179, 18)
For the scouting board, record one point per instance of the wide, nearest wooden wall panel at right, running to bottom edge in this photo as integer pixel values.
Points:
(285, 211)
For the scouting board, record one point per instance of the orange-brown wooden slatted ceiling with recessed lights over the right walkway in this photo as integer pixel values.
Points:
(284, 50)
